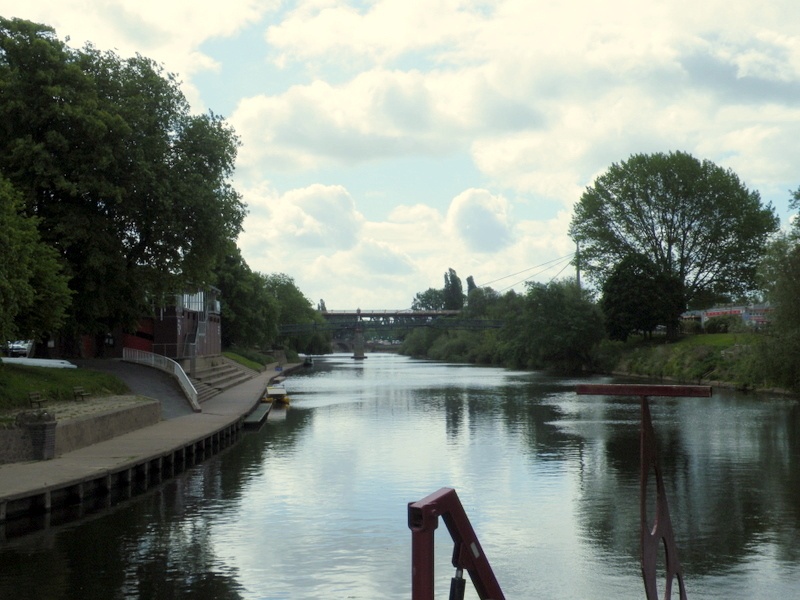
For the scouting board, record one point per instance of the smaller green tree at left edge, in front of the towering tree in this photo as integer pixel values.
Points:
(33, 287)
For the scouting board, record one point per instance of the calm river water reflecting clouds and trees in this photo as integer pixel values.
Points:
(314, 505)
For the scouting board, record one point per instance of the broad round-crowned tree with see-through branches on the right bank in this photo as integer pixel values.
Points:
(693, 220)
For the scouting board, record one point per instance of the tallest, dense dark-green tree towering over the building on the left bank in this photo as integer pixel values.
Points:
(129, 187)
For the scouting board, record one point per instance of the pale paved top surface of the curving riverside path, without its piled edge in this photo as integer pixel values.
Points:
(20, 479)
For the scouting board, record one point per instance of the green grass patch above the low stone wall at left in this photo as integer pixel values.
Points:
(54, 384)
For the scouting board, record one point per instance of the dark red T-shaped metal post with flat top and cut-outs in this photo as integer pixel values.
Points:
(660, 534)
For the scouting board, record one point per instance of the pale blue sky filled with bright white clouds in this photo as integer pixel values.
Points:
(387, 141)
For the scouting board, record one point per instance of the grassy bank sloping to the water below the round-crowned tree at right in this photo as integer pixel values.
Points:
(731, 359)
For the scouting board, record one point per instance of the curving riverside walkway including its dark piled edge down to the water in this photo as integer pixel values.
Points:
(148, 454)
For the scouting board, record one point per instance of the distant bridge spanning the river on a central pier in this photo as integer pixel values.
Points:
(358, 321)
